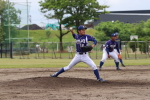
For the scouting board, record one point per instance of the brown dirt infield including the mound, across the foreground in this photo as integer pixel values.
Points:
(131, 83)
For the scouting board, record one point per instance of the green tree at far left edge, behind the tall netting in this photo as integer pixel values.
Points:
(9, 19)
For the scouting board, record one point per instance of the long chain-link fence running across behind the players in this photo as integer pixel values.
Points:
(25, 50)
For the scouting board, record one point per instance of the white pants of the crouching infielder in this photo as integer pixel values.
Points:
(113, 54)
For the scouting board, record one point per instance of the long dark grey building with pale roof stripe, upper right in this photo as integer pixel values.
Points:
(132, 16)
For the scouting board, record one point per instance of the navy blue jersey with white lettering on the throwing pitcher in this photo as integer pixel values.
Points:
(82, 40)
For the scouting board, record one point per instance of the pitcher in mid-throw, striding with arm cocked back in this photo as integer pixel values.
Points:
(80, 56)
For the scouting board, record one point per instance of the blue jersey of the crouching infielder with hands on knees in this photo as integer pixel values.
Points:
(111, 45)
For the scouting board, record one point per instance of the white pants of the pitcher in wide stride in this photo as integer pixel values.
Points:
(81, 58)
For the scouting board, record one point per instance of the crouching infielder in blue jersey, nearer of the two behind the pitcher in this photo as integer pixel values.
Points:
(109, 52)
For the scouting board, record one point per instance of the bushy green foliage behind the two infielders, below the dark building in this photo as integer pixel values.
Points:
(105, 29)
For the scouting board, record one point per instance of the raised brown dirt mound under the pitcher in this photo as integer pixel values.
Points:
(54, 83)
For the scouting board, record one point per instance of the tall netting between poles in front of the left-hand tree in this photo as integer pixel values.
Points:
(17, 21)
